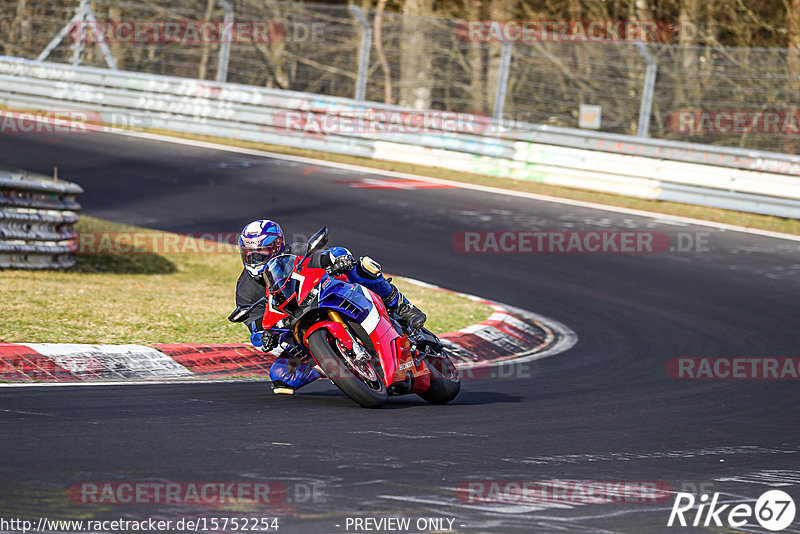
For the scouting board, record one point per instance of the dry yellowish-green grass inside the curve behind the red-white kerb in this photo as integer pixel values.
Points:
(150, 298)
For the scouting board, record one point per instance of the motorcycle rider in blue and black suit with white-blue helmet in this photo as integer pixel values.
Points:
(263, 240)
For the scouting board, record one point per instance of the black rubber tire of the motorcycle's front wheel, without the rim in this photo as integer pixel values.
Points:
(323, 347)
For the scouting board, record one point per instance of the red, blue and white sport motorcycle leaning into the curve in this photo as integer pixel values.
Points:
(367, 351)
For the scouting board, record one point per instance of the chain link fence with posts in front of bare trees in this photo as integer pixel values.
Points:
(720, 96)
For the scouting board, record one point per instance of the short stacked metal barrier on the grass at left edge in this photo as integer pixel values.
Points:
(37, 215)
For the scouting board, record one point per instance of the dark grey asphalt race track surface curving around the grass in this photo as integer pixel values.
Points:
(606, 410)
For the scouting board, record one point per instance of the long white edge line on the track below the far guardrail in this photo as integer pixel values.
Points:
(461, 185)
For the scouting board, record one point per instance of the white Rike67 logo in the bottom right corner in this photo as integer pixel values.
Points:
(774, 510)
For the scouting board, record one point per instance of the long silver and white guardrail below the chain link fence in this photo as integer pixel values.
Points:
(743, 180)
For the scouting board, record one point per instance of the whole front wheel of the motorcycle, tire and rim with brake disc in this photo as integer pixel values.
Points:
(359, 379)
